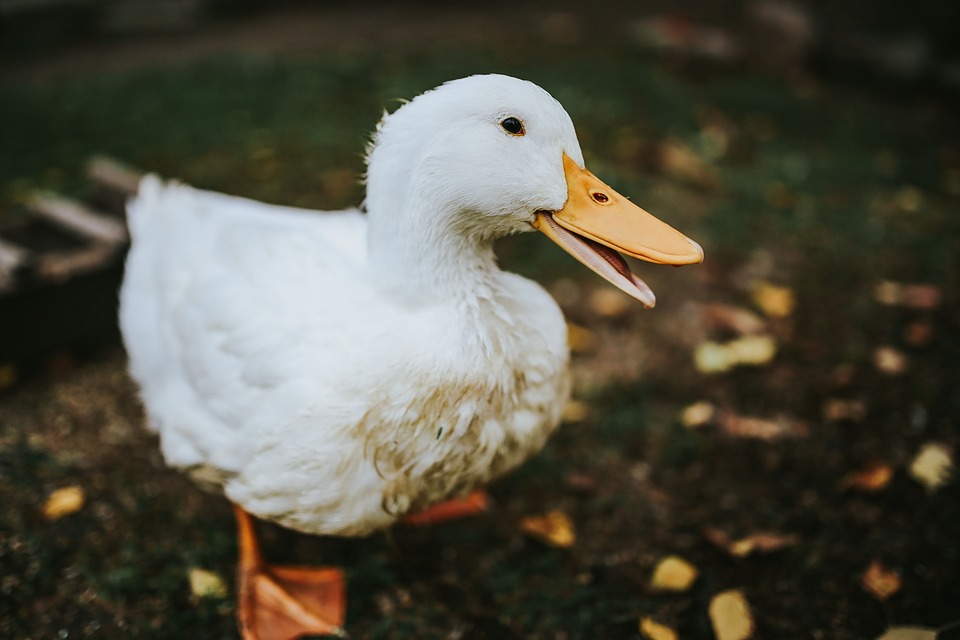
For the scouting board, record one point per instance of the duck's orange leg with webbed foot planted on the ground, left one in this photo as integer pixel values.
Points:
(283, 603)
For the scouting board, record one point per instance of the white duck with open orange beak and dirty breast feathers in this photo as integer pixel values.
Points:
(334, 372)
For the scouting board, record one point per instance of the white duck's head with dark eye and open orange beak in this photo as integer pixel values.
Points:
(486, 156)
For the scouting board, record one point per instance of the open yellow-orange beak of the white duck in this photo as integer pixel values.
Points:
(596, 224)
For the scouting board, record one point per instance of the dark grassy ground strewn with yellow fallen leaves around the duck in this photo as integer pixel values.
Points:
(785, 387)
